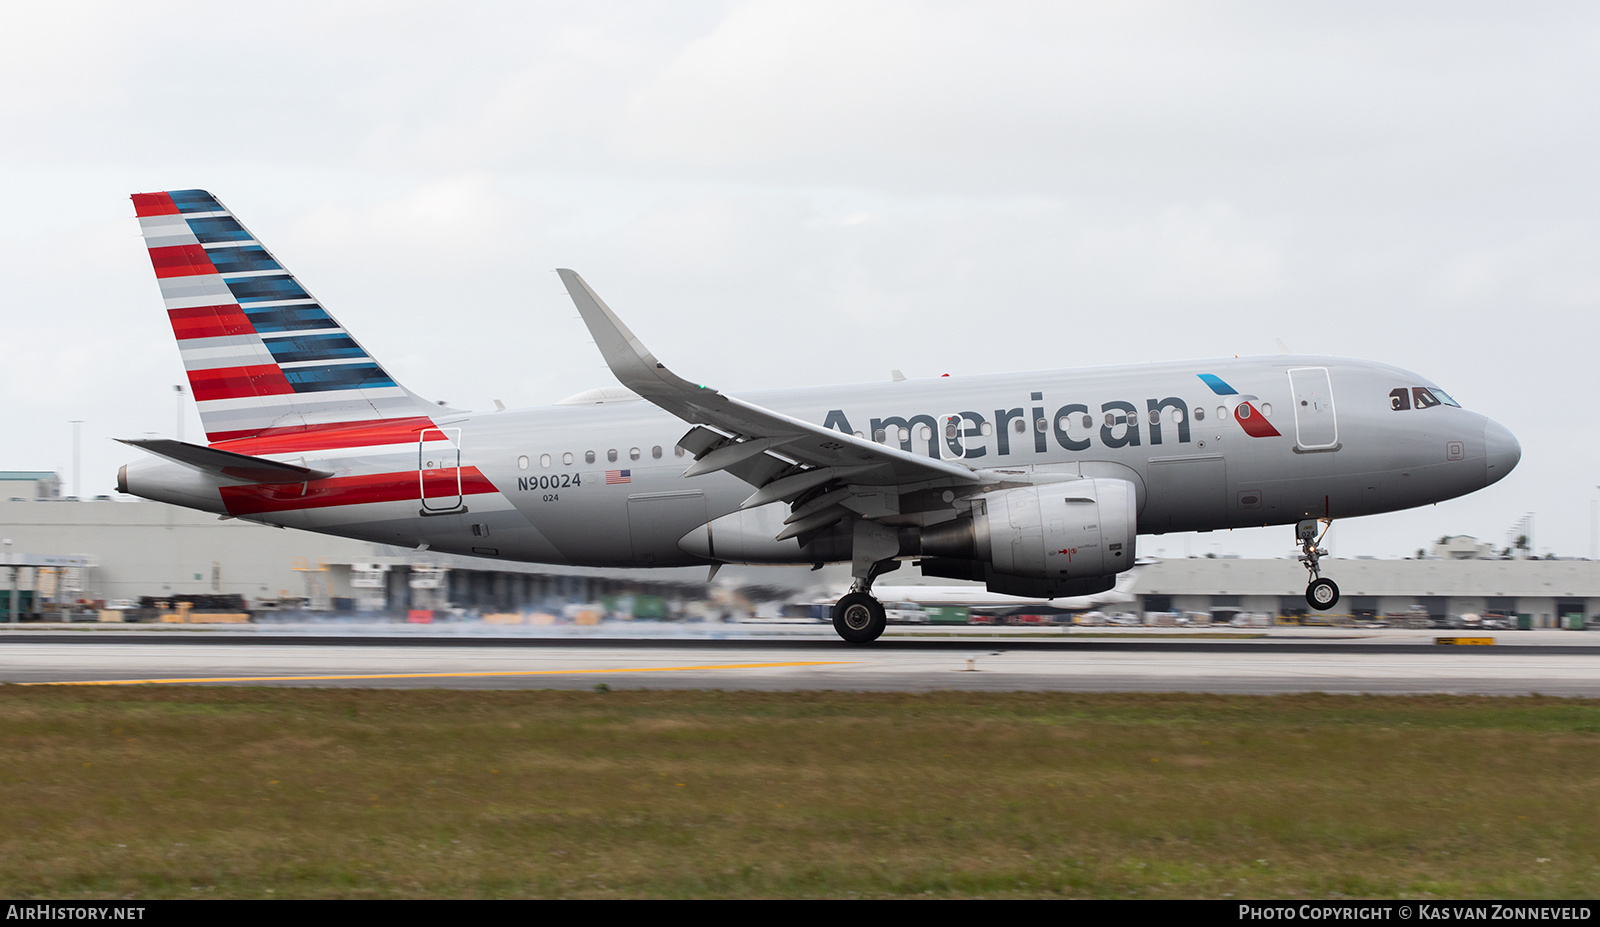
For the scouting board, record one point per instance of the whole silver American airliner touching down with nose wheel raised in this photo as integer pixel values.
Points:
(1036, 484)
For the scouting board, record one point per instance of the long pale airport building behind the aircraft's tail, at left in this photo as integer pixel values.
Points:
(63, 552)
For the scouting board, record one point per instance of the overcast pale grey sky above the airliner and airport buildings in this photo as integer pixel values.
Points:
(790, 195)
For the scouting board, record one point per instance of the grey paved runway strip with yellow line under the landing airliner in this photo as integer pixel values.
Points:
(1278, 664)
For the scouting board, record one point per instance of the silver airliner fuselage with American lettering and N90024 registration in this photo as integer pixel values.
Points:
(1332, 446)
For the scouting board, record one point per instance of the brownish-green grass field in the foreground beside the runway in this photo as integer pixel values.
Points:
(185, 792)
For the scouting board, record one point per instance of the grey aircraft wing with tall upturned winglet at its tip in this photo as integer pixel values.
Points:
(778, 454)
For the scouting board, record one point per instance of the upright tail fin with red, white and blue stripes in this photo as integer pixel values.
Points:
(263, 356)
